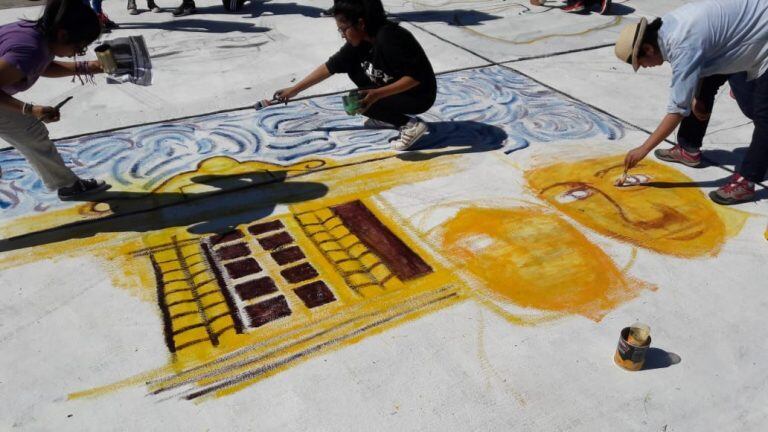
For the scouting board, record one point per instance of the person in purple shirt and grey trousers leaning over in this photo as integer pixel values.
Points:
(27, 51)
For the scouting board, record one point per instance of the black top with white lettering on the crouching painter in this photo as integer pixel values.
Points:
(395, 53)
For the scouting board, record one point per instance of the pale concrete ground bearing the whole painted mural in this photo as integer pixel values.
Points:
(535, 262)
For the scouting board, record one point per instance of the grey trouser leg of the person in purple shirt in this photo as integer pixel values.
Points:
(30, 137)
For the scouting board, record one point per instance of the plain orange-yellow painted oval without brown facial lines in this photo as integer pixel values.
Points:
(536, 259)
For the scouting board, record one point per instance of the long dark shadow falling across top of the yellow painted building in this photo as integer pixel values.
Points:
(211, 204)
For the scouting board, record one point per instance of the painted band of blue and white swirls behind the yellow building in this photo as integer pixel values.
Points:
(144, 156)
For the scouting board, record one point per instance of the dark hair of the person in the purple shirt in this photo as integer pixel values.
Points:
(73, 16)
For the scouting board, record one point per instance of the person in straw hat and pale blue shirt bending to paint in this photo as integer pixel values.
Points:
(699, 40)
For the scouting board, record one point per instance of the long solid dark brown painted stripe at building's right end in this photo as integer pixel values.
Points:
(398, 257)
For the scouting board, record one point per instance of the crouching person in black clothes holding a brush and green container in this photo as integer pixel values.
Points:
(385, 62)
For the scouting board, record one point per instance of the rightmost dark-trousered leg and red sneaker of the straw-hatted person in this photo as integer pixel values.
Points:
(741, 187)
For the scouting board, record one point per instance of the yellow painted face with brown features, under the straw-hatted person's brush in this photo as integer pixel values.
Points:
(663, 210)
